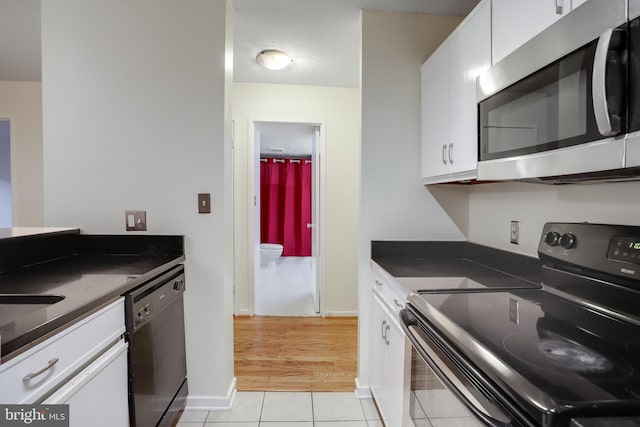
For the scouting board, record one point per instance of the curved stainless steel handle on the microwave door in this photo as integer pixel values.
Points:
(608, 123)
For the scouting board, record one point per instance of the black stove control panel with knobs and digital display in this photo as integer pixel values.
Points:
(608, 249)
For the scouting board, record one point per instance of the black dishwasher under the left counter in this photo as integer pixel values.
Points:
(157, 361)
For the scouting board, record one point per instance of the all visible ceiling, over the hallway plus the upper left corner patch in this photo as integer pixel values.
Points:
(322, 36)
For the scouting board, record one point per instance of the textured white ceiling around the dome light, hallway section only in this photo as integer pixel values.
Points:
(322, 36)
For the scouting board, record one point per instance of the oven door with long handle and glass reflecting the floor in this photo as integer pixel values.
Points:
(442, 387)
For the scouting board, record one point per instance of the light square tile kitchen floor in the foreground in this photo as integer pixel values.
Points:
(289, 409)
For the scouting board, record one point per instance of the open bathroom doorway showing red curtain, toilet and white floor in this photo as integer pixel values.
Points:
(286, 166)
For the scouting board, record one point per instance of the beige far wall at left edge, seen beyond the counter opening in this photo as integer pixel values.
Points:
(21, 103)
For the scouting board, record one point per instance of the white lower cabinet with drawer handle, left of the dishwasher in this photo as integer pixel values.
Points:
(84, 365)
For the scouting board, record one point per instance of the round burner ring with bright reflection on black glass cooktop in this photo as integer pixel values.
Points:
(574, 356)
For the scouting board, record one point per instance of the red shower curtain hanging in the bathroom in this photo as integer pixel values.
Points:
(285, 204)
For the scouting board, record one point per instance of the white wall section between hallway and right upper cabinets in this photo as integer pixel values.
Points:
(394, 204)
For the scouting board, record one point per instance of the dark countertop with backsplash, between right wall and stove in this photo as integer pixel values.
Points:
(425, 265)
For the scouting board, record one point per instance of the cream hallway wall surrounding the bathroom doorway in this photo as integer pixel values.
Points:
(339, 109)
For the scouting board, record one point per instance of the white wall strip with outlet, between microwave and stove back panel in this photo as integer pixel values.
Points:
(493, 206)
